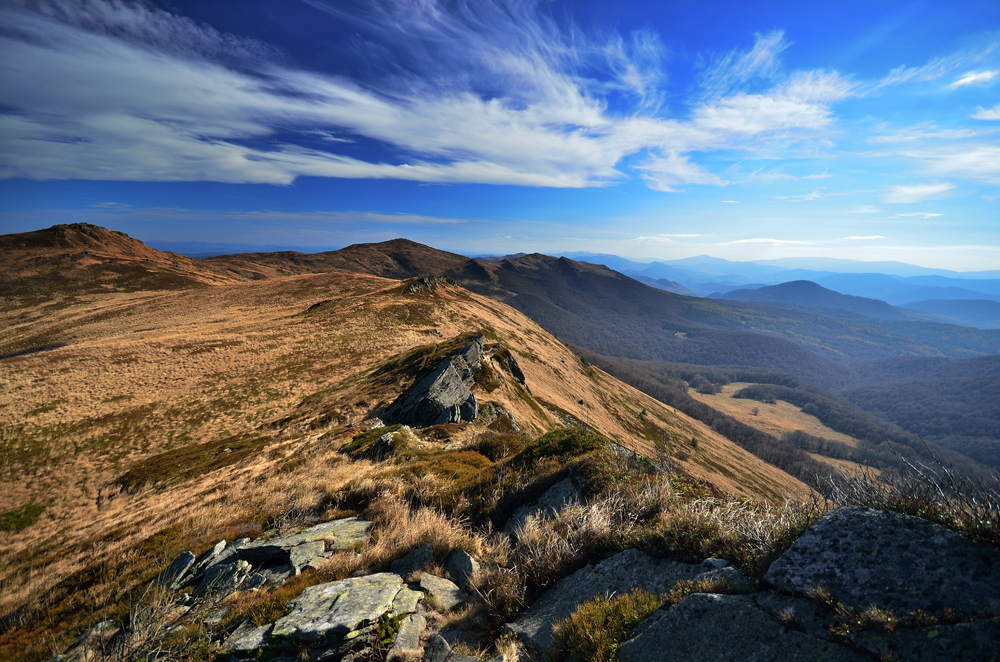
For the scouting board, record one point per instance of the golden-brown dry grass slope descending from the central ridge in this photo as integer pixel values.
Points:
(173, 414)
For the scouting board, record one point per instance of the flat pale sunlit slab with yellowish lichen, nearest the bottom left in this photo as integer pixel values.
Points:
(338, 610)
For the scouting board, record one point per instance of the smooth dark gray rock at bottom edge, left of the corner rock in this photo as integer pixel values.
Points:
(707, 626)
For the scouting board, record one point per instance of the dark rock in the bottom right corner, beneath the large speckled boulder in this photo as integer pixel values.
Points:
(969, 642)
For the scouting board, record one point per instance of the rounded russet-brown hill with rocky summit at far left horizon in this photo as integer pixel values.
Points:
(70, 260)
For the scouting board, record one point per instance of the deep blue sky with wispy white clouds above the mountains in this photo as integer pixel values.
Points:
(651, 130)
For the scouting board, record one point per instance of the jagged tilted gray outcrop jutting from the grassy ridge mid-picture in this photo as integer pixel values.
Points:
(442, 396)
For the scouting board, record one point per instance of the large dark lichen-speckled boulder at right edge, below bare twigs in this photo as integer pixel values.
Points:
(866, 557)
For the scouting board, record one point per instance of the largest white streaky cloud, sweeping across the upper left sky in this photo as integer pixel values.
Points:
(126, 91)
